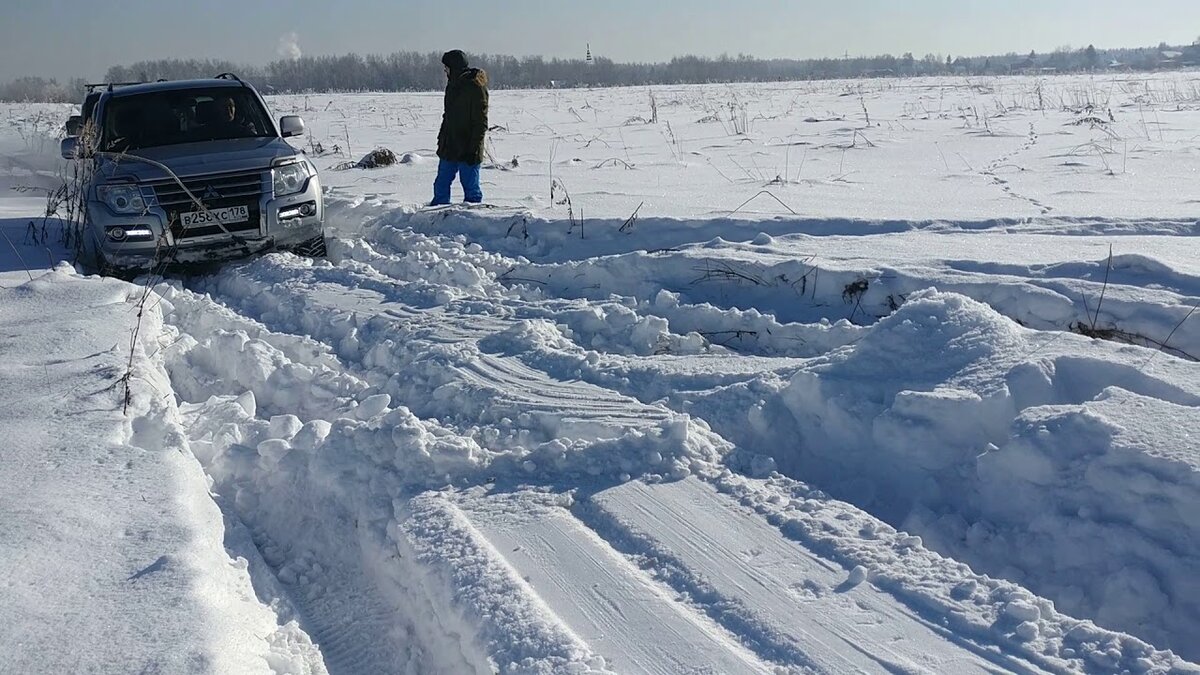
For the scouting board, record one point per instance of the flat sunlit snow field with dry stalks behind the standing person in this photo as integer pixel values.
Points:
(957, 150)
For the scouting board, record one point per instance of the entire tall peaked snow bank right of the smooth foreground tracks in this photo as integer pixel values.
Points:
(1051, 461)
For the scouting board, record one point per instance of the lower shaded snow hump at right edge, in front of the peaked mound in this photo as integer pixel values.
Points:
(1101, 500)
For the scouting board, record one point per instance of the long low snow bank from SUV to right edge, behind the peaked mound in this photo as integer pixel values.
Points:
(793, 294)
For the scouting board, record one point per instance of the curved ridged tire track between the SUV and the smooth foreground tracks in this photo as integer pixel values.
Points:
(435, 360)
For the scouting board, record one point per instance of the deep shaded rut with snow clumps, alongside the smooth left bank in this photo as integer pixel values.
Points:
(355, 577)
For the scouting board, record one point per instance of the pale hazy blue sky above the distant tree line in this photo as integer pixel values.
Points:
(67, 38)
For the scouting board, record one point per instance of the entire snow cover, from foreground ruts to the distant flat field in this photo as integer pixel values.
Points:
(824, 405)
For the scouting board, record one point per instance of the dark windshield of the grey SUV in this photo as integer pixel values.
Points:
(169, 118)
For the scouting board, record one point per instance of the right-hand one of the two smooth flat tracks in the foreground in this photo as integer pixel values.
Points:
(782, 596)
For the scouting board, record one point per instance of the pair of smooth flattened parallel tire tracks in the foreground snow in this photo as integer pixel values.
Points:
(777, 598)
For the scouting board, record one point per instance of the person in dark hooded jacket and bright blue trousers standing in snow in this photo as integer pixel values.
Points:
(464, 127)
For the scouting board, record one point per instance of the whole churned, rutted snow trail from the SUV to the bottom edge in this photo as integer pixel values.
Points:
(441, 487)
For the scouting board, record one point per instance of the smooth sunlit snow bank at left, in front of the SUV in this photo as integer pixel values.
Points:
(116, 557)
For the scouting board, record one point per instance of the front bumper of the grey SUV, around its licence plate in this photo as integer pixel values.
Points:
(269, 230)
